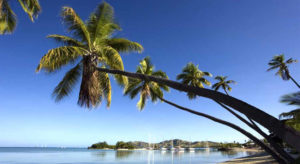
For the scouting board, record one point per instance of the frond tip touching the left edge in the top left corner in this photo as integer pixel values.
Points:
(7, 18)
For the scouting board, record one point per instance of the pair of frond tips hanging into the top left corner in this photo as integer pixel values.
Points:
(8, 17)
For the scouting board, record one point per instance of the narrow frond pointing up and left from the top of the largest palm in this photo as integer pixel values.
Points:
(75, 25)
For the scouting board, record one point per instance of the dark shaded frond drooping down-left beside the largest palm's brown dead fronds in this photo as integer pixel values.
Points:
(65, 87)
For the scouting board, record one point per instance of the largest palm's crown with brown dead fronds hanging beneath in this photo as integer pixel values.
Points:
(91, 44)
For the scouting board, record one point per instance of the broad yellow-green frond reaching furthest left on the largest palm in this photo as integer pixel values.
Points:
(58, 57)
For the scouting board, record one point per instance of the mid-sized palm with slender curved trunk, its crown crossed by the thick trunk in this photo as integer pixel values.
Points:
(153, 91)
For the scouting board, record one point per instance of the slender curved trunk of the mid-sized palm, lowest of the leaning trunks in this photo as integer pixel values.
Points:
(250, 136)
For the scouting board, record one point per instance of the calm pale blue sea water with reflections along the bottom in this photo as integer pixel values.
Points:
(85, 156)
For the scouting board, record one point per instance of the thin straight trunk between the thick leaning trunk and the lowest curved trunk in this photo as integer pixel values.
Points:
(252, 125)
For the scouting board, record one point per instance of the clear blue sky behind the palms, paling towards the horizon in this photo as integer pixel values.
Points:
(234, 38)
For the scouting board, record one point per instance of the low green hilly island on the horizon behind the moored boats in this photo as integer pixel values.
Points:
(167, 144)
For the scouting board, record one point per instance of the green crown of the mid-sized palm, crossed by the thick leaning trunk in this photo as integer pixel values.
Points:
(147, 89)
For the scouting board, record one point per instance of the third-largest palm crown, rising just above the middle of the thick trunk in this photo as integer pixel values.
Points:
(191, 75)
